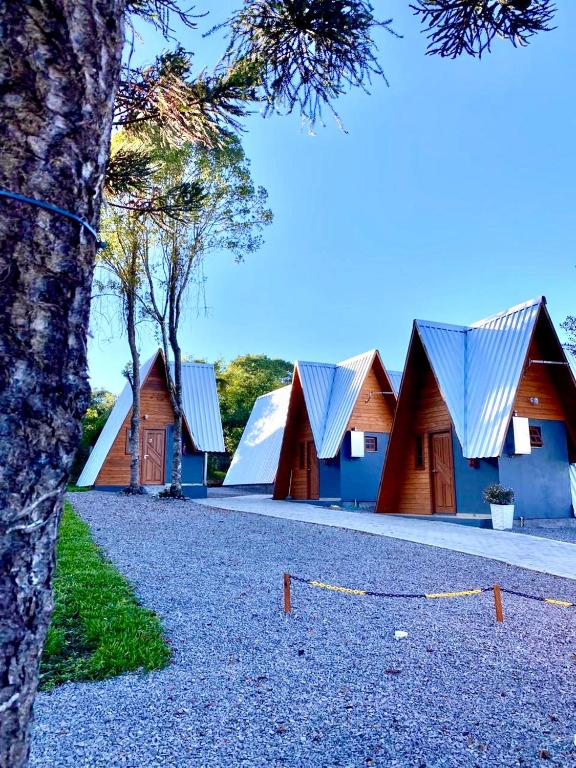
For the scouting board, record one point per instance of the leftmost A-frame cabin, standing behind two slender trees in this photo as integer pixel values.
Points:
(108, 466)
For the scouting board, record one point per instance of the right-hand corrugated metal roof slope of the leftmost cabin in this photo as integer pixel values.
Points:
(202, 407)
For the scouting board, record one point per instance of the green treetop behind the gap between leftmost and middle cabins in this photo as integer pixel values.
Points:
(239, 384)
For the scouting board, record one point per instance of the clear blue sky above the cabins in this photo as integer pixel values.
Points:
(450, 197)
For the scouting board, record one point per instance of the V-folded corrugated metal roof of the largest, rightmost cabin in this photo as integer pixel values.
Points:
(478, 369)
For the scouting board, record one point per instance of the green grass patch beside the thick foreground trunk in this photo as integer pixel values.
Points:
(98, 628)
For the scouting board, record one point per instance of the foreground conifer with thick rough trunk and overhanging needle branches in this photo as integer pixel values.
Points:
(62, 82)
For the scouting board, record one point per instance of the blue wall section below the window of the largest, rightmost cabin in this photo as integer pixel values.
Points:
(540, 479)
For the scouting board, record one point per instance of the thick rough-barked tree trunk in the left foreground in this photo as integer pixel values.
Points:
(59, 64)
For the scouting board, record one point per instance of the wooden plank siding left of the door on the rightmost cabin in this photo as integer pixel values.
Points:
(406, 488)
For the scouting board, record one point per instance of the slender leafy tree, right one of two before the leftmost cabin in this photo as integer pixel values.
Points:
(230, 215)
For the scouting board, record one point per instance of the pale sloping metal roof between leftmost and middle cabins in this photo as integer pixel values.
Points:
(256, 458)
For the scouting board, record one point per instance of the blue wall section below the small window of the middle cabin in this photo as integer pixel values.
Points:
(360, 478)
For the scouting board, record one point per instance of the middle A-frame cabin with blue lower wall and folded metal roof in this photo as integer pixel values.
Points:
(337, 426)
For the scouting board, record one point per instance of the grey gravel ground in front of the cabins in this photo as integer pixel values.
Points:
(329, 685)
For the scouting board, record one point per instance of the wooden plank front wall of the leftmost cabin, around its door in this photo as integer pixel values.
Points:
(155, 402)
